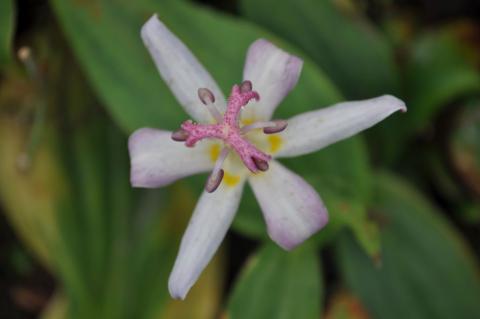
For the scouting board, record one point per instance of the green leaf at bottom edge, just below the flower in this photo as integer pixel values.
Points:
(278, 284)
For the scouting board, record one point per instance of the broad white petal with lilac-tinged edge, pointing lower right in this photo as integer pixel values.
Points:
(292, 209)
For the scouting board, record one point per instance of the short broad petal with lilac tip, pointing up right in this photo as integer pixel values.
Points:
(273, 73)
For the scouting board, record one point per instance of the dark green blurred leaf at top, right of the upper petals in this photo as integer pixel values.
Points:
(357, 58)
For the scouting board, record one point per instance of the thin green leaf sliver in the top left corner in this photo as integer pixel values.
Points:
(7, 17)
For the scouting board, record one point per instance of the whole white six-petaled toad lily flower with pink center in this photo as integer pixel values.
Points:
(236, 141)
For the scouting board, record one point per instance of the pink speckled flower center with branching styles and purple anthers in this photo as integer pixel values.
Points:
(227, 129)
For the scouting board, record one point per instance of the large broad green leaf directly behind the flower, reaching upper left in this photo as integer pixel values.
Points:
(126, 79)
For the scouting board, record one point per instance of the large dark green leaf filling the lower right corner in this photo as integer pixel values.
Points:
(426, 269)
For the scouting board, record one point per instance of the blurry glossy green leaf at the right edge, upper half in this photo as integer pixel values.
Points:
(438, 74)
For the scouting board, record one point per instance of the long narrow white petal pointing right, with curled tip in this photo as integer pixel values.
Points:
(311, 131)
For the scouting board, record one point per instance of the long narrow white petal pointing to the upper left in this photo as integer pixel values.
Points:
(179, 68)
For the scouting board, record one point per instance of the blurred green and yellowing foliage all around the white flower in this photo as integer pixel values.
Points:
(404, 198)
